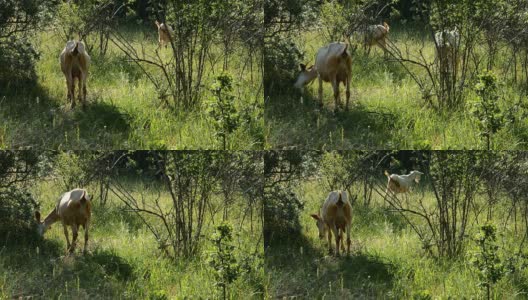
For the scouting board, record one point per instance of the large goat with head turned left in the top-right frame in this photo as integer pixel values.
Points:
(333, 64)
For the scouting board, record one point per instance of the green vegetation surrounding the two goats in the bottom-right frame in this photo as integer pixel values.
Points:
(460, 233)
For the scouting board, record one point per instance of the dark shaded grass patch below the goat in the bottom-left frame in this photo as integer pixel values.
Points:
(41, 268)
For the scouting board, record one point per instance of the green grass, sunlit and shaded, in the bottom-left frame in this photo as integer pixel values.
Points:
(123, 260)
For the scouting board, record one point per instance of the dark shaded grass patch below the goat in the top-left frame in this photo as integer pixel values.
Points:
(33, 118)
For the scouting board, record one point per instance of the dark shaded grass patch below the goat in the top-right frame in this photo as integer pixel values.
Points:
(308, 125)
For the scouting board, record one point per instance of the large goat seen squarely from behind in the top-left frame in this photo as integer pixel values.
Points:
(74, 60)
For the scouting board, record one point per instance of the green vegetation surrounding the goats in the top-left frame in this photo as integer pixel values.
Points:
(140, 96)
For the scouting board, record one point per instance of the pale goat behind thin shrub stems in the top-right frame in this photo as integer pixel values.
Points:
(447, 42)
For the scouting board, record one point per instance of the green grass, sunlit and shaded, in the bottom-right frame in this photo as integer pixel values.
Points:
(386, 260)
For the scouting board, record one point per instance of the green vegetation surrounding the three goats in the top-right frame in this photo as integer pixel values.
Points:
(404, 99)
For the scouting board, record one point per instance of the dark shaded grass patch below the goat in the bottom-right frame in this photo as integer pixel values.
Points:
(298, 269)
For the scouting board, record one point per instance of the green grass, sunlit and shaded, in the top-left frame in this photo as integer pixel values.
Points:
(124, 111)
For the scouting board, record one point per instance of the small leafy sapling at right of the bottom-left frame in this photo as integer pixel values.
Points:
(222, 260)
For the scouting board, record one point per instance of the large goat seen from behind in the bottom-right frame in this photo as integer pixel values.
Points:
(336, 217)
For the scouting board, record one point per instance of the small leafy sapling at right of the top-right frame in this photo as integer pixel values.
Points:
(487, 110)
